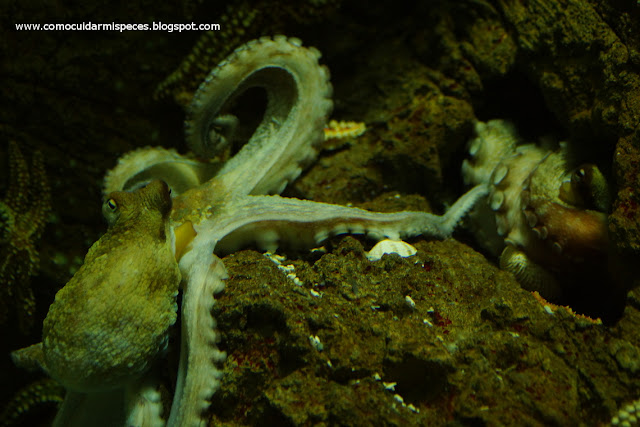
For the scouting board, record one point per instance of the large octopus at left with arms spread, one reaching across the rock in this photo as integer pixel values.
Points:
(110, 337)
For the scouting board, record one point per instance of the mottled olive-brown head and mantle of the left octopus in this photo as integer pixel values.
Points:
(110, 321)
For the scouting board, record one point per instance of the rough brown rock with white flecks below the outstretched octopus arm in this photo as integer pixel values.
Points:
(487, 353)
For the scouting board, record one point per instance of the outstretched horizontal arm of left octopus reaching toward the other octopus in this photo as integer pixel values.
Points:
(268, 220)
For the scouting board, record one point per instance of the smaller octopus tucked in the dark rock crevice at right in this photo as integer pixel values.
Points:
(547, 220)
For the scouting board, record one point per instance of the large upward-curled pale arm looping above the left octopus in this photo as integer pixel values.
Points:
(298, 104)
